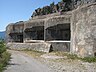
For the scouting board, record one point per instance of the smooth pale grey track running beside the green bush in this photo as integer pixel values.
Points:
(21, 62)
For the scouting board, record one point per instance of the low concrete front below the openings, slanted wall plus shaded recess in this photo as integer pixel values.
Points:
(42, 47)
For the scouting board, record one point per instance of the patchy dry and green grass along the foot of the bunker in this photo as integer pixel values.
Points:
(67, 56)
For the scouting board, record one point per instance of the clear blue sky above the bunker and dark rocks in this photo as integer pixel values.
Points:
(12, 11)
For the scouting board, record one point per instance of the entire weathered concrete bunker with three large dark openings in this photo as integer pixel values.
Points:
(73, 32)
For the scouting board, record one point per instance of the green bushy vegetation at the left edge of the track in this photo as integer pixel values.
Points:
(4, 56)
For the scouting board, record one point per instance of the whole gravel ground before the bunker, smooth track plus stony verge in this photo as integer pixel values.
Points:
(22, 62)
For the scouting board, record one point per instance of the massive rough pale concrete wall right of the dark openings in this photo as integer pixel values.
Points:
(83, 31)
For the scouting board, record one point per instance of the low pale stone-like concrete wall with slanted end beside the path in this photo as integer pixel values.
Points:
(43, 47)
